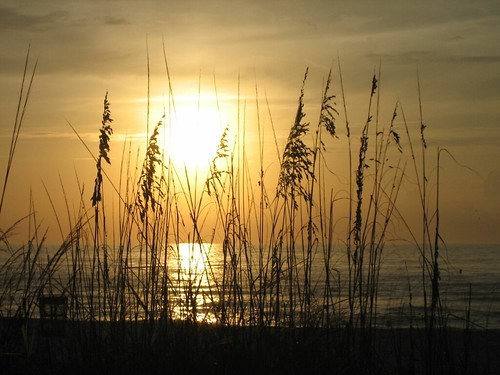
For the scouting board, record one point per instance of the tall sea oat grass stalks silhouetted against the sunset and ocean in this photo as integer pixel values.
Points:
(277, 239)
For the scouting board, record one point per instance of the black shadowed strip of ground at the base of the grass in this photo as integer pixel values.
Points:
(64, 347)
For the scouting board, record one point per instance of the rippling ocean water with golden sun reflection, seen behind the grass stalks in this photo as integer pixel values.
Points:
(200, 282)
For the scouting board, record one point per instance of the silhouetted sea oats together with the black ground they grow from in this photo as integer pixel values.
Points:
(275, 301)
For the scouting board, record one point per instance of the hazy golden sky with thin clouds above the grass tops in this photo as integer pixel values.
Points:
(87, 48)
